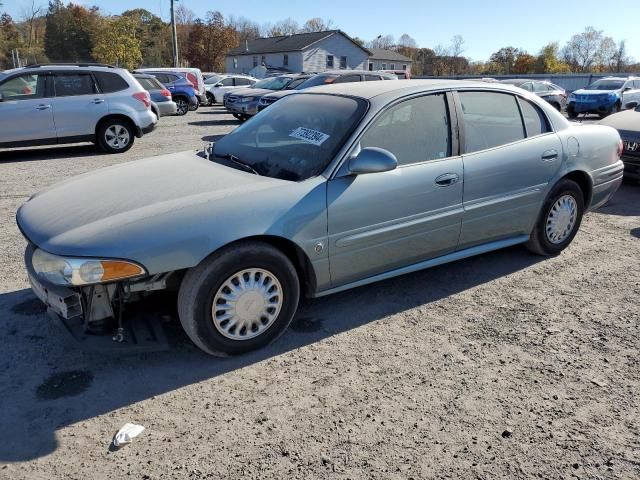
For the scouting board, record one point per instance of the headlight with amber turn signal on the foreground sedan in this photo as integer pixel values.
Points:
(81, 271)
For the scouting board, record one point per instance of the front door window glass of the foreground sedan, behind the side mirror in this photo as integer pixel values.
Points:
(415, 131)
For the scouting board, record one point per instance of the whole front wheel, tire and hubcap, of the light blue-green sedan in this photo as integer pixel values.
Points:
(239, 299)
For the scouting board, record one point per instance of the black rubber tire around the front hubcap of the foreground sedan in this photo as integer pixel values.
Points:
(201, 283)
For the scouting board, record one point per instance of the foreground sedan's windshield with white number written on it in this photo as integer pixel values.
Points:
(295, 139)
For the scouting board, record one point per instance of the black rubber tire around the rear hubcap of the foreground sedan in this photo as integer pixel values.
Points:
(540, 242)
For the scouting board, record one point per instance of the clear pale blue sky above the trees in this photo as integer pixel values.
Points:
(485, 26)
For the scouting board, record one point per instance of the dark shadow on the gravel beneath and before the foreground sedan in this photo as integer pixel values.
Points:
(50, 383)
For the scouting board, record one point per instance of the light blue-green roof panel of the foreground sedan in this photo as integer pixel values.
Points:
(368, 90)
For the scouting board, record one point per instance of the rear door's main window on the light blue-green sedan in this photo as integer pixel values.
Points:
(490, 119)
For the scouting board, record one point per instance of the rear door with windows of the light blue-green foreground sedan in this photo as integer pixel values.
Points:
(510, 155)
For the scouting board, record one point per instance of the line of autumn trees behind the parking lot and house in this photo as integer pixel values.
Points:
(75, 33)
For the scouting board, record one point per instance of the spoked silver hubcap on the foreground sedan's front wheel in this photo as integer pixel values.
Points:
(247, 304)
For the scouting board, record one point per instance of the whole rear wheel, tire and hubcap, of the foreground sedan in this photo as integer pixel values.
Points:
(559, 219)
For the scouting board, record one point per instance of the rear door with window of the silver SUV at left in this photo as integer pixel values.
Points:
(78, 105)
